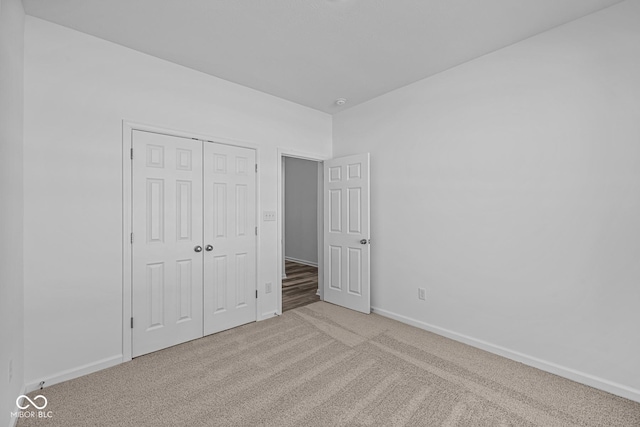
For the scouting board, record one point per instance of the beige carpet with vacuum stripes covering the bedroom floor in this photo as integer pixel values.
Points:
(322, 365)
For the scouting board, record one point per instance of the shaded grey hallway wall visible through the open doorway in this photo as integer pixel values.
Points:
(301, 210)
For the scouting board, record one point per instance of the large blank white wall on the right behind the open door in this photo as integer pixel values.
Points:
(509, 187)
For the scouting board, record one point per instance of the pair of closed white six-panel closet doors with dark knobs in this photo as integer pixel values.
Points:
(194, 243)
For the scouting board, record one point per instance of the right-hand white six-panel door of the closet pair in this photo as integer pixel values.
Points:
(230, 237)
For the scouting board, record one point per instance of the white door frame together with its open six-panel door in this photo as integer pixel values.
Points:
(343, 229)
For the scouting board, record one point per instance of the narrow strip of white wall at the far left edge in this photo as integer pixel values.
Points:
(11, 205)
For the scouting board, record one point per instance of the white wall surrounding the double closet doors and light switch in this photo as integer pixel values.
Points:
(78, 89)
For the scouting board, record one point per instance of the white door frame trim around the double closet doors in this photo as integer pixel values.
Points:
(128, 127)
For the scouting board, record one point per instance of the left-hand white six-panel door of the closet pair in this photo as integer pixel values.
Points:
(167, 226)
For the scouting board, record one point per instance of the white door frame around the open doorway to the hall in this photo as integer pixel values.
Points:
(319, 158)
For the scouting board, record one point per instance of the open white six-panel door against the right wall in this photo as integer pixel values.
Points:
(346, 232)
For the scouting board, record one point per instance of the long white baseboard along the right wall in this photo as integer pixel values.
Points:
(562, 371)
